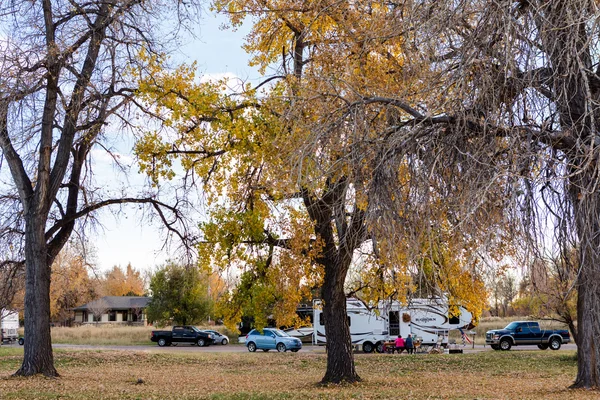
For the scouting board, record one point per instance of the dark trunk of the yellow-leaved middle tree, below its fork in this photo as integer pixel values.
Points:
(340, 360)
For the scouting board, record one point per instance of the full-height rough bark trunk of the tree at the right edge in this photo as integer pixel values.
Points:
(564, 33)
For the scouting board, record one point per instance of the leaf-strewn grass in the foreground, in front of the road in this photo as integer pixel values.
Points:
(114, 375)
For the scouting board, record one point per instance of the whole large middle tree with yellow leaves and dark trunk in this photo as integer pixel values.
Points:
(321, 165)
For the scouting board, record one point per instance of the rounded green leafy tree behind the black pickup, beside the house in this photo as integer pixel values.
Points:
(179, 295)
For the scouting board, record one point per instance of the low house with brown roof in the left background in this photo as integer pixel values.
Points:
(113, 310)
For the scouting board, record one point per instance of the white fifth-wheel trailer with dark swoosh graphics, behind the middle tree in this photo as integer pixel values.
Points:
(428, 320)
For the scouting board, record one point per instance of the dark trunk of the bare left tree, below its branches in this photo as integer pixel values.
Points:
(38, 357)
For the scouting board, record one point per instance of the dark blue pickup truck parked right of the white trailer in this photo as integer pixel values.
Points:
(526, 333)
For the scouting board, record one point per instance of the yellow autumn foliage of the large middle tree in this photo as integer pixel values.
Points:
(319, 121)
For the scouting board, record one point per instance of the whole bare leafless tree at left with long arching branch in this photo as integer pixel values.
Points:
(64, 87)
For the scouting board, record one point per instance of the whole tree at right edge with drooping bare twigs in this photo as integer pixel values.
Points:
(522, 83)
